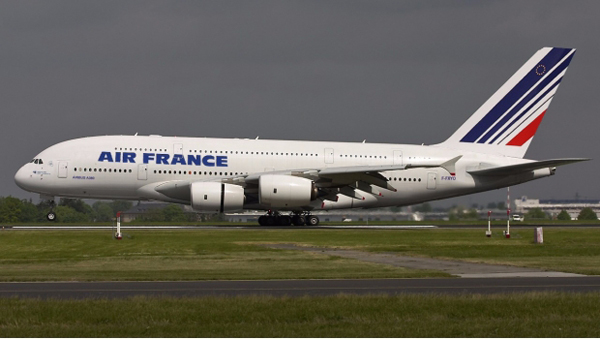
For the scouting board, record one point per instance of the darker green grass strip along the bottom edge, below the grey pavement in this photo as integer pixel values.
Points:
(513, 315)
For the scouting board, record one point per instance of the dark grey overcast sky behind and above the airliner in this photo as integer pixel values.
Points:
(384, 71)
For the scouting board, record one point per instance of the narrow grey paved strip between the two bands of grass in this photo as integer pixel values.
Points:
(295, 288)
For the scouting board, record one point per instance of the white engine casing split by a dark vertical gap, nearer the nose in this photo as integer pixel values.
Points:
(216, 197)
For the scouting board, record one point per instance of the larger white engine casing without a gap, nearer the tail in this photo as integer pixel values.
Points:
(277, 191)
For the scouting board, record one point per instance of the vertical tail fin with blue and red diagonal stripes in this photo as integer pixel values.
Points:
(506, 123)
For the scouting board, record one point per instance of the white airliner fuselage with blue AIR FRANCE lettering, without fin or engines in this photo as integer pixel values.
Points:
(123, 167)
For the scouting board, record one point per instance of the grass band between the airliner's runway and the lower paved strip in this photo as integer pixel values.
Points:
(236, 254)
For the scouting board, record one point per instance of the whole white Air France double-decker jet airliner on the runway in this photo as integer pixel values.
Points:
(290, 179)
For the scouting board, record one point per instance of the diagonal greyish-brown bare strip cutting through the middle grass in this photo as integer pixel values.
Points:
(457, 268)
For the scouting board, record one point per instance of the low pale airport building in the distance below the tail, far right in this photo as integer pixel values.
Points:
(554, 206)
